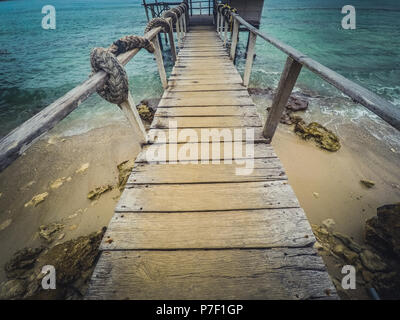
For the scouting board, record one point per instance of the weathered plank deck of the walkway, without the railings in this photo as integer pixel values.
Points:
(199, 231)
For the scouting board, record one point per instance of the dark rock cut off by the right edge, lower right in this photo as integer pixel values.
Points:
(383, 231)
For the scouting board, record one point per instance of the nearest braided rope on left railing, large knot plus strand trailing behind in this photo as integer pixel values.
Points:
(115, 89)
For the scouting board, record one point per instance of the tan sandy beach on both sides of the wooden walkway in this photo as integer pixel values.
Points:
(327, 184)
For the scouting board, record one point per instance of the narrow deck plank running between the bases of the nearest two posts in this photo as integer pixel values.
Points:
(162, 135)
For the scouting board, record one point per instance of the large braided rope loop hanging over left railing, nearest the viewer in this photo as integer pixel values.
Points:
(115, 89)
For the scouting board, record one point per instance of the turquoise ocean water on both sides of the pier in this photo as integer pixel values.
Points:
(37, 66)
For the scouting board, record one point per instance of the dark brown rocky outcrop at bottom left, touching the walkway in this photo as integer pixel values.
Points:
(73, 260)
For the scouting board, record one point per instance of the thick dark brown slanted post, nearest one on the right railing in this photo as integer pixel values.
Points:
(288, 79)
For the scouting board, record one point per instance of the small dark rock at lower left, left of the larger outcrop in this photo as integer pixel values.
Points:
(22, 261)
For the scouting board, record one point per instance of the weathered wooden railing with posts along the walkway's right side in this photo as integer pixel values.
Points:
(294, 63)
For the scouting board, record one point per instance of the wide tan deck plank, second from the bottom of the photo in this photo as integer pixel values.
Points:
(272, 228)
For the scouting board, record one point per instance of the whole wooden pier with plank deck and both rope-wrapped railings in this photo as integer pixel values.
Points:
(191, 229)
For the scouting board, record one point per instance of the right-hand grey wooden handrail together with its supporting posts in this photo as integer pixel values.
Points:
(384, 109)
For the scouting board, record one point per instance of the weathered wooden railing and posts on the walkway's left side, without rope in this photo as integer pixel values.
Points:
(21, 138)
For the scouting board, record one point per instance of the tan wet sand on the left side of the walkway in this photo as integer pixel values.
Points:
(55, 157)
